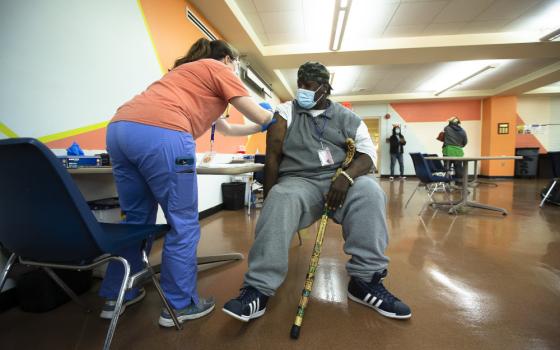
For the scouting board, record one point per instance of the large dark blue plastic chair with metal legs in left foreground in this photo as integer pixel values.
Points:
(46, 222)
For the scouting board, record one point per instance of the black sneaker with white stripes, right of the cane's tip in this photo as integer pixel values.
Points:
(374, 295)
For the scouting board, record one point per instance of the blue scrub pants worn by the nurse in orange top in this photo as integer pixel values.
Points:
(154, 165)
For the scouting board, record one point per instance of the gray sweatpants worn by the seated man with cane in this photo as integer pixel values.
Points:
(294, 203)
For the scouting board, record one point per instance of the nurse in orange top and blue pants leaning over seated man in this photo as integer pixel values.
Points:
(151, 141)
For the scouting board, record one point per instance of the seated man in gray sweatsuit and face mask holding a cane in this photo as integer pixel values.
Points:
(304, 150)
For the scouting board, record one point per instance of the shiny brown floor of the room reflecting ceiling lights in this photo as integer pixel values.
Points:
(474, 281)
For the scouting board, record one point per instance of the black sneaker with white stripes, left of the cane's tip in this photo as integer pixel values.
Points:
(248, 305)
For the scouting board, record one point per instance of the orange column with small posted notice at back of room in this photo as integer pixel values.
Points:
(496, 110)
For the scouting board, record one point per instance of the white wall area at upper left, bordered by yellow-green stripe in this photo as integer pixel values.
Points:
(68, 64)
